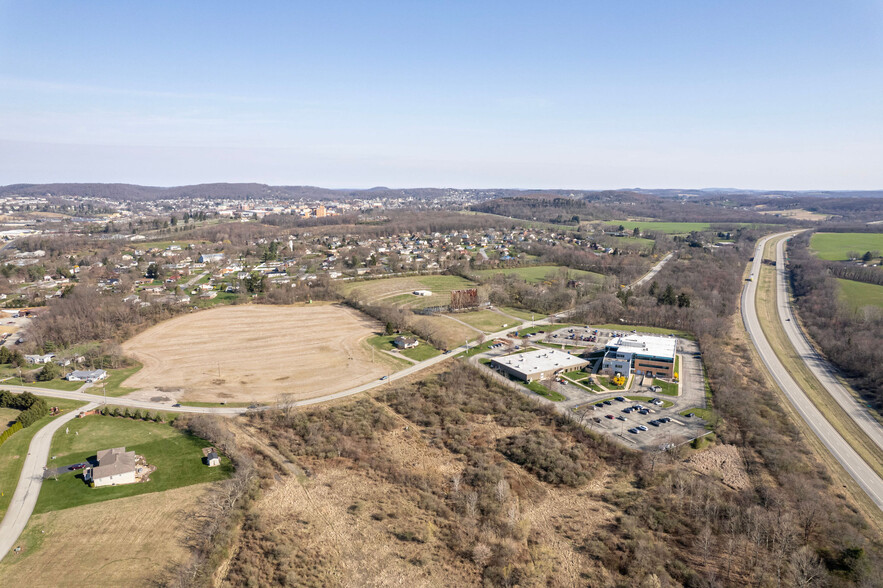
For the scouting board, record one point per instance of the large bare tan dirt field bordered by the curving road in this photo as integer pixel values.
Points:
(254, 353)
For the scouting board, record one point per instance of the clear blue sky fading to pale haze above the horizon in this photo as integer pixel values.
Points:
(509, 94)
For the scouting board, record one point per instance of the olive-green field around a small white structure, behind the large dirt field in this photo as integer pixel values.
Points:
(397, 291)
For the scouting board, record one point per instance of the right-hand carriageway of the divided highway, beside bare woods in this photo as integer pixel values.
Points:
(820, 368)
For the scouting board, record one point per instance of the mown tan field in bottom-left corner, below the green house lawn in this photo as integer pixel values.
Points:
(131, 544)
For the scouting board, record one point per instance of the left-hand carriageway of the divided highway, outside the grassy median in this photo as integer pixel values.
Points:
(854, 465)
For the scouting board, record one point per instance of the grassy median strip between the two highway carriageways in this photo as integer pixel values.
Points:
(775, 334)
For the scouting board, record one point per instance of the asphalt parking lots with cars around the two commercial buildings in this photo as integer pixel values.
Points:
(619, 418)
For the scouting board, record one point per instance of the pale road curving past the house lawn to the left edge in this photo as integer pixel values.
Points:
(25, 497)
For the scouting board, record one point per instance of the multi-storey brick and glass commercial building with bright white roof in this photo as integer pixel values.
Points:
(643, 354)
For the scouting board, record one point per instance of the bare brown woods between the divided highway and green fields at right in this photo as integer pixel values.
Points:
(848, 337)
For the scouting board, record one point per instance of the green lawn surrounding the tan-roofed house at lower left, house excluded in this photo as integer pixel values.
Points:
(177, 456)
